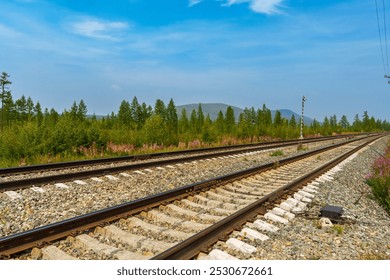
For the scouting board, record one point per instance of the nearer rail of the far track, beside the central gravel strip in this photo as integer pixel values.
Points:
(36, 181)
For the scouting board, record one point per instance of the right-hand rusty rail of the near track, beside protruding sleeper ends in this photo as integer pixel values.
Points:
(192, 246)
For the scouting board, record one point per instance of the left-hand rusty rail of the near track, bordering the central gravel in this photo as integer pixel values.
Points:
(45, 234)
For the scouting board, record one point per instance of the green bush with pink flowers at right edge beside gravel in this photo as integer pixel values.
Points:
(379, 180)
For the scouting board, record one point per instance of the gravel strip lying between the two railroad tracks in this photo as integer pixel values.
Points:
(34, 209)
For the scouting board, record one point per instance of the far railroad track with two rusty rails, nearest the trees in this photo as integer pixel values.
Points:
(25, 177)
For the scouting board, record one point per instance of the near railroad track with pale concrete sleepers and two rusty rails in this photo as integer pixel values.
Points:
(180, 223)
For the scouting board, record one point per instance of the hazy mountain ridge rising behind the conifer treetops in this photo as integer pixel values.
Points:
(213, 109)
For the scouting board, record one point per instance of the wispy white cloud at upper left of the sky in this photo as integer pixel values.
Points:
(98, 29)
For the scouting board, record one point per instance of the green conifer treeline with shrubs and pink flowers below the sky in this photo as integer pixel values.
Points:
(32, 135)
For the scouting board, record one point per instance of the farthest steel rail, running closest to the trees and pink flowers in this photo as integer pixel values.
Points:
(72, 164)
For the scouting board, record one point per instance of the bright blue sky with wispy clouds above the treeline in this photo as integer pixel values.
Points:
(239, 52)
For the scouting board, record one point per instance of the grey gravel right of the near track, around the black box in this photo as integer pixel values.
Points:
(364, 235)
